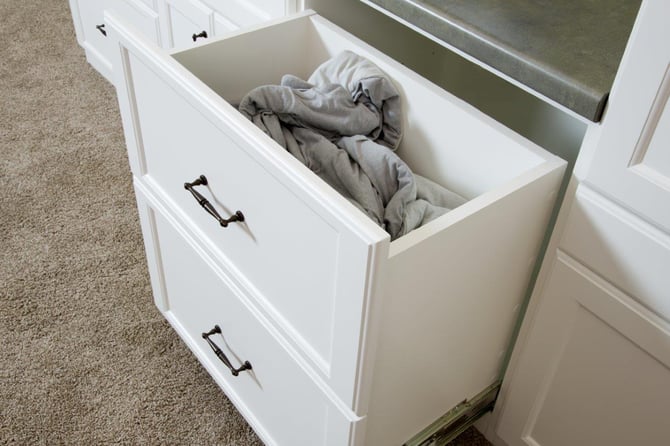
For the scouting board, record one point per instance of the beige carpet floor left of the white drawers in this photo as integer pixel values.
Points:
(85, 356)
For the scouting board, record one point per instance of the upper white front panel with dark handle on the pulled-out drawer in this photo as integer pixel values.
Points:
(303, 263)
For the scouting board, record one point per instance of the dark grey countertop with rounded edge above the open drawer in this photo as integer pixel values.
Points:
(566, 50)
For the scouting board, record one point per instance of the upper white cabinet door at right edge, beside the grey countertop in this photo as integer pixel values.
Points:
(632, 159)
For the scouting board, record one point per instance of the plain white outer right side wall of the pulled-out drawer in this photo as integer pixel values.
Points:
(449, 309)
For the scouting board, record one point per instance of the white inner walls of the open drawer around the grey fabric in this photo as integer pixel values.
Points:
(445, 139)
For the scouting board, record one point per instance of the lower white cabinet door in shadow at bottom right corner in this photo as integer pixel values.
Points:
(595, 369)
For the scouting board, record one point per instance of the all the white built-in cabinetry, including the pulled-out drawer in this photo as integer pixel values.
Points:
(373, 340)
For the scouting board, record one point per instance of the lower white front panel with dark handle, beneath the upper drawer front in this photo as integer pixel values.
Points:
(278, 398)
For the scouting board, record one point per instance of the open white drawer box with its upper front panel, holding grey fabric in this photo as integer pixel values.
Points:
(398, 331)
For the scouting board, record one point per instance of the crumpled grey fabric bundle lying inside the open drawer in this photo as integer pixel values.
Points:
(343, 123)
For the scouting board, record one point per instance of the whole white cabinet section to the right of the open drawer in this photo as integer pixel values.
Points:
(592, 364)
